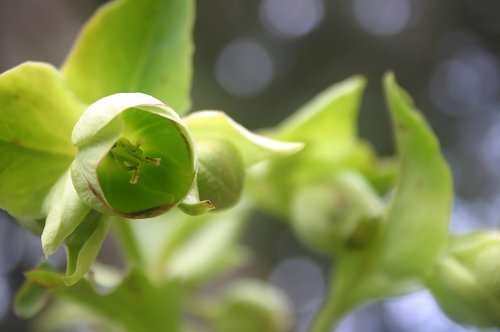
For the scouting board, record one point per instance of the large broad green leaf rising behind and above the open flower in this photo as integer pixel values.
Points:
(135, 46)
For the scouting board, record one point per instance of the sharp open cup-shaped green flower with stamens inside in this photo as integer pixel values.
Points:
(135, 156)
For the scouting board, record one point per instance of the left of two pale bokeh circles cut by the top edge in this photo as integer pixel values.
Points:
(291, 18)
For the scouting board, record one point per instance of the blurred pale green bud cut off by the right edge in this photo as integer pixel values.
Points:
(466, 282)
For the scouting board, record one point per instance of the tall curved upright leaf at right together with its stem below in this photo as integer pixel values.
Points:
(416, 225)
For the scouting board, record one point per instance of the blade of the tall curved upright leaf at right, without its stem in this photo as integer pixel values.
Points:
(424, 184)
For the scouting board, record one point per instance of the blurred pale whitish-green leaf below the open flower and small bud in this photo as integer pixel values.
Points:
(175, 236)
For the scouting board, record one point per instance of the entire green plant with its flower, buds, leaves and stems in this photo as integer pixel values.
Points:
(129, 155)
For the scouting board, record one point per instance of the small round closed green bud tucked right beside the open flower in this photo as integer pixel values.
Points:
(221, 173)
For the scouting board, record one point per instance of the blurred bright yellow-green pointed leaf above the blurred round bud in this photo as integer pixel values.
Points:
(327, 125)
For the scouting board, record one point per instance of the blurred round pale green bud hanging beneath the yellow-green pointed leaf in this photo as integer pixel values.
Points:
(337, 215)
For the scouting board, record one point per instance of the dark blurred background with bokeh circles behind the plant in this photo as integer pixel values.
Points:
(260, 60)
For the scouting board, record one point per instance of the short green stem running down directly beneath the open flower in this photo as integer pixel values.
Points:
(128, 242)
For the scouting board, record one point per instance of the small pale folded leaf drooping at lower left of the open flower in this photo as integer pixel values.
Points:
(65, 212)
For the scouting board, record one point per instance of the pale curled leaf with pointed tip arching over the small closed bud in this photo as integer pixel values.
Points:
(215, 125)
